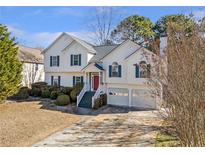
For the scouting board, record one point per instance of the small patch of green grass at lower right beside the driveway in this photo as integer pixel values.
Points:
(166, 140)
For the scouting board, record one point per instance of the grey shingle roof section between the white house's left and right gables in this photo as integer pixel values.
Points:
(102, 51)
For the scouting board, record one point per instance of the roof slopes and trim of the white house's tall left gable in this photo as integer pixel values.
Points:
(80, 41)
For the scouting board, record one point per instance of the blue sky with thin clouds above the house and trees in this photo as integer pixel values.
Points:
(39, 26)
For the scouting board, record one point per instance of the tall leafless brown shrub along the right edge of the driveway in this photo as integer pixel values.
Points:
(184, 83)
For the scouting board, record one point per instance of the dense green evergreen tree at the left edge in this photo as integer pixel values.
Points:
(10, 67)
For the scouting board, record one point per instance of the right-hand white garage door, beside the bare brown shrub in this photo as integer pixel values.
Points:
(143, 98)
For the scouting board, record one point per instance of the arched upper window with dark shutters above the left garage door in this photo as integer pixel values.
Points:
(115, 70)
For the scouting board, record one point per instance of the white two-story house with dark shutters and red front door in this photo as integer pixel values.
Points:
(121, 71)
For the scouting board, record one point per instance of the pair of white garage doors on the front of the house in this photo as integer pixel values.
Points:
(139, 98)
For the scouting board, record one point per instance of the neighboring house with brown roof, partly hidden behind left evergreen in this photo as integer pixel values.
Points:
(33, 68)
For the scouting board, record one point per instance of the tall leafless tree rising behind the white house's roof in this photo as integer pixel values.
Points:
(102, 24)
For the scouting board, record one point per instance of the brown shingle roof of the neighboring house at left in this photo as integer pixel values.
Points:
(30, 55)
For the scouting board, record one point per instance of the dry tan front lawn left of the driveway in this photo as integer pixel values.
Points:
(23, 124)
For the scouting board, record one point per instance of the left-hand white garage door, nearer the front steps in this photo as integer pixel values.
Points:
(118, 96)
